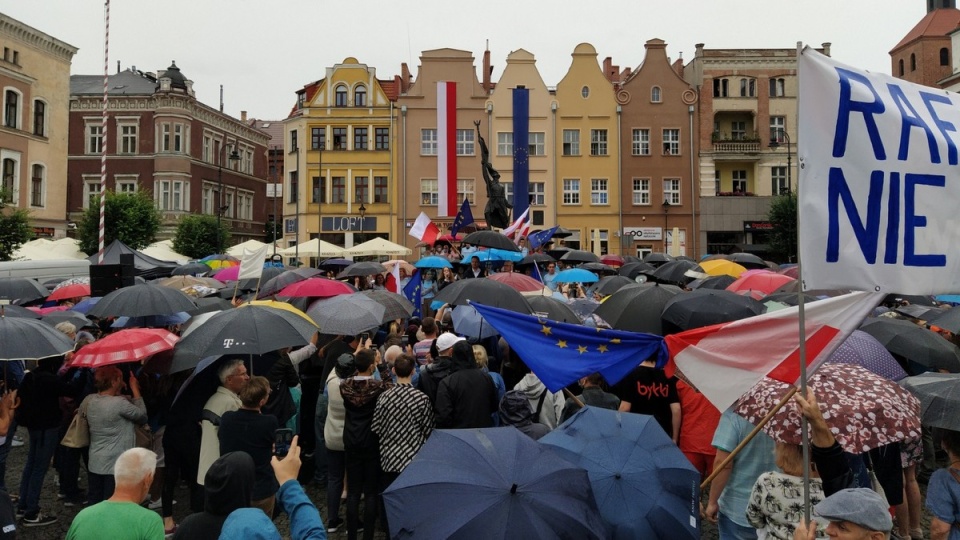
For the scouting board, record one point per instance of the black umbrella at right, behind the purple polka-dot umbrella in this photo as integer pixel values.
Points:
(914, 343)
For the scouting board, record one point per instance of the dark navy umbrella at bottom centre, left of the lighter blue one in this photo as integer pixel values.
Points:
(509, 487)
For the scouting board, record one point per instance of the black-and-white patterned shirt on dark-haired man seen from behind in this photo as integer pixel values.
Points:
(403, 419)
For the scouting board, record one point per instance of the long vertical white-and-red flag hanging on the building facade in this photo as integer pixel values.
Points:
(446, 148)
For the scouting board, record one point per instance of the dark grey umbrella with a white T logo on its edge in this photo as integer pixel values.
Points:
(250, 329)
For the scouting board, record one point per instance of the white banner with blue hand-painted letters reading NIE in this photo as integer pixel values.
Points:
(878, 206)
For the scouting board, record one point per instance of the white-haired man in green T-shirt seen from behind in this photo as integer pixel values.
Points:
(121, 516)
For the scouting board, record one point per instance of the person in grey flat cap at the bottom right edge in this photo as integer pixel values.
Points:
(853, 514)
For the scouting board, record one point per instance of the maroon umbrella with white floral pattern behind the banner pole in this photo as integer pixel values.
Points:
(864, 410)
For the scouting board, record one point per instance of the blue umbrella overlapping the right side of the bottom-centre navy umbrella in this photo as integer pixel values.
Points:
(643, 484)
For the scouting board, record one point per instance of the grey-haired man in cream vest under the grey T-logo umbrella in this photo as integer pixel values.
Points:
(233, 375)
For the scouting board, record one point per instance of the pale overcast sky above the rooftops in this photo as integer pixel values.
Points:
(262, 51)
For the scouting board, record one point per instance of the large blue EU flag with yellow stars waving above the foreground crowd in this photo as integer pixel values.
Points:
(561, 353)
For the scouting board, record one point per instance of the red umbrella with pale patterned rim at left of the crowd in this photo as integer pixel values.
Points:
(130, 345)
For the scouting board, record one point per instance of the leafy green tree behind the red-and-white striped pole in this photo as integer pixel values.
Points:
(132, 218)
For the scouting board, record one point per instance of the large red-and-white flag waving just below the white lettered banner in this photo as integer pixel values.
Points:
(725, 360)
